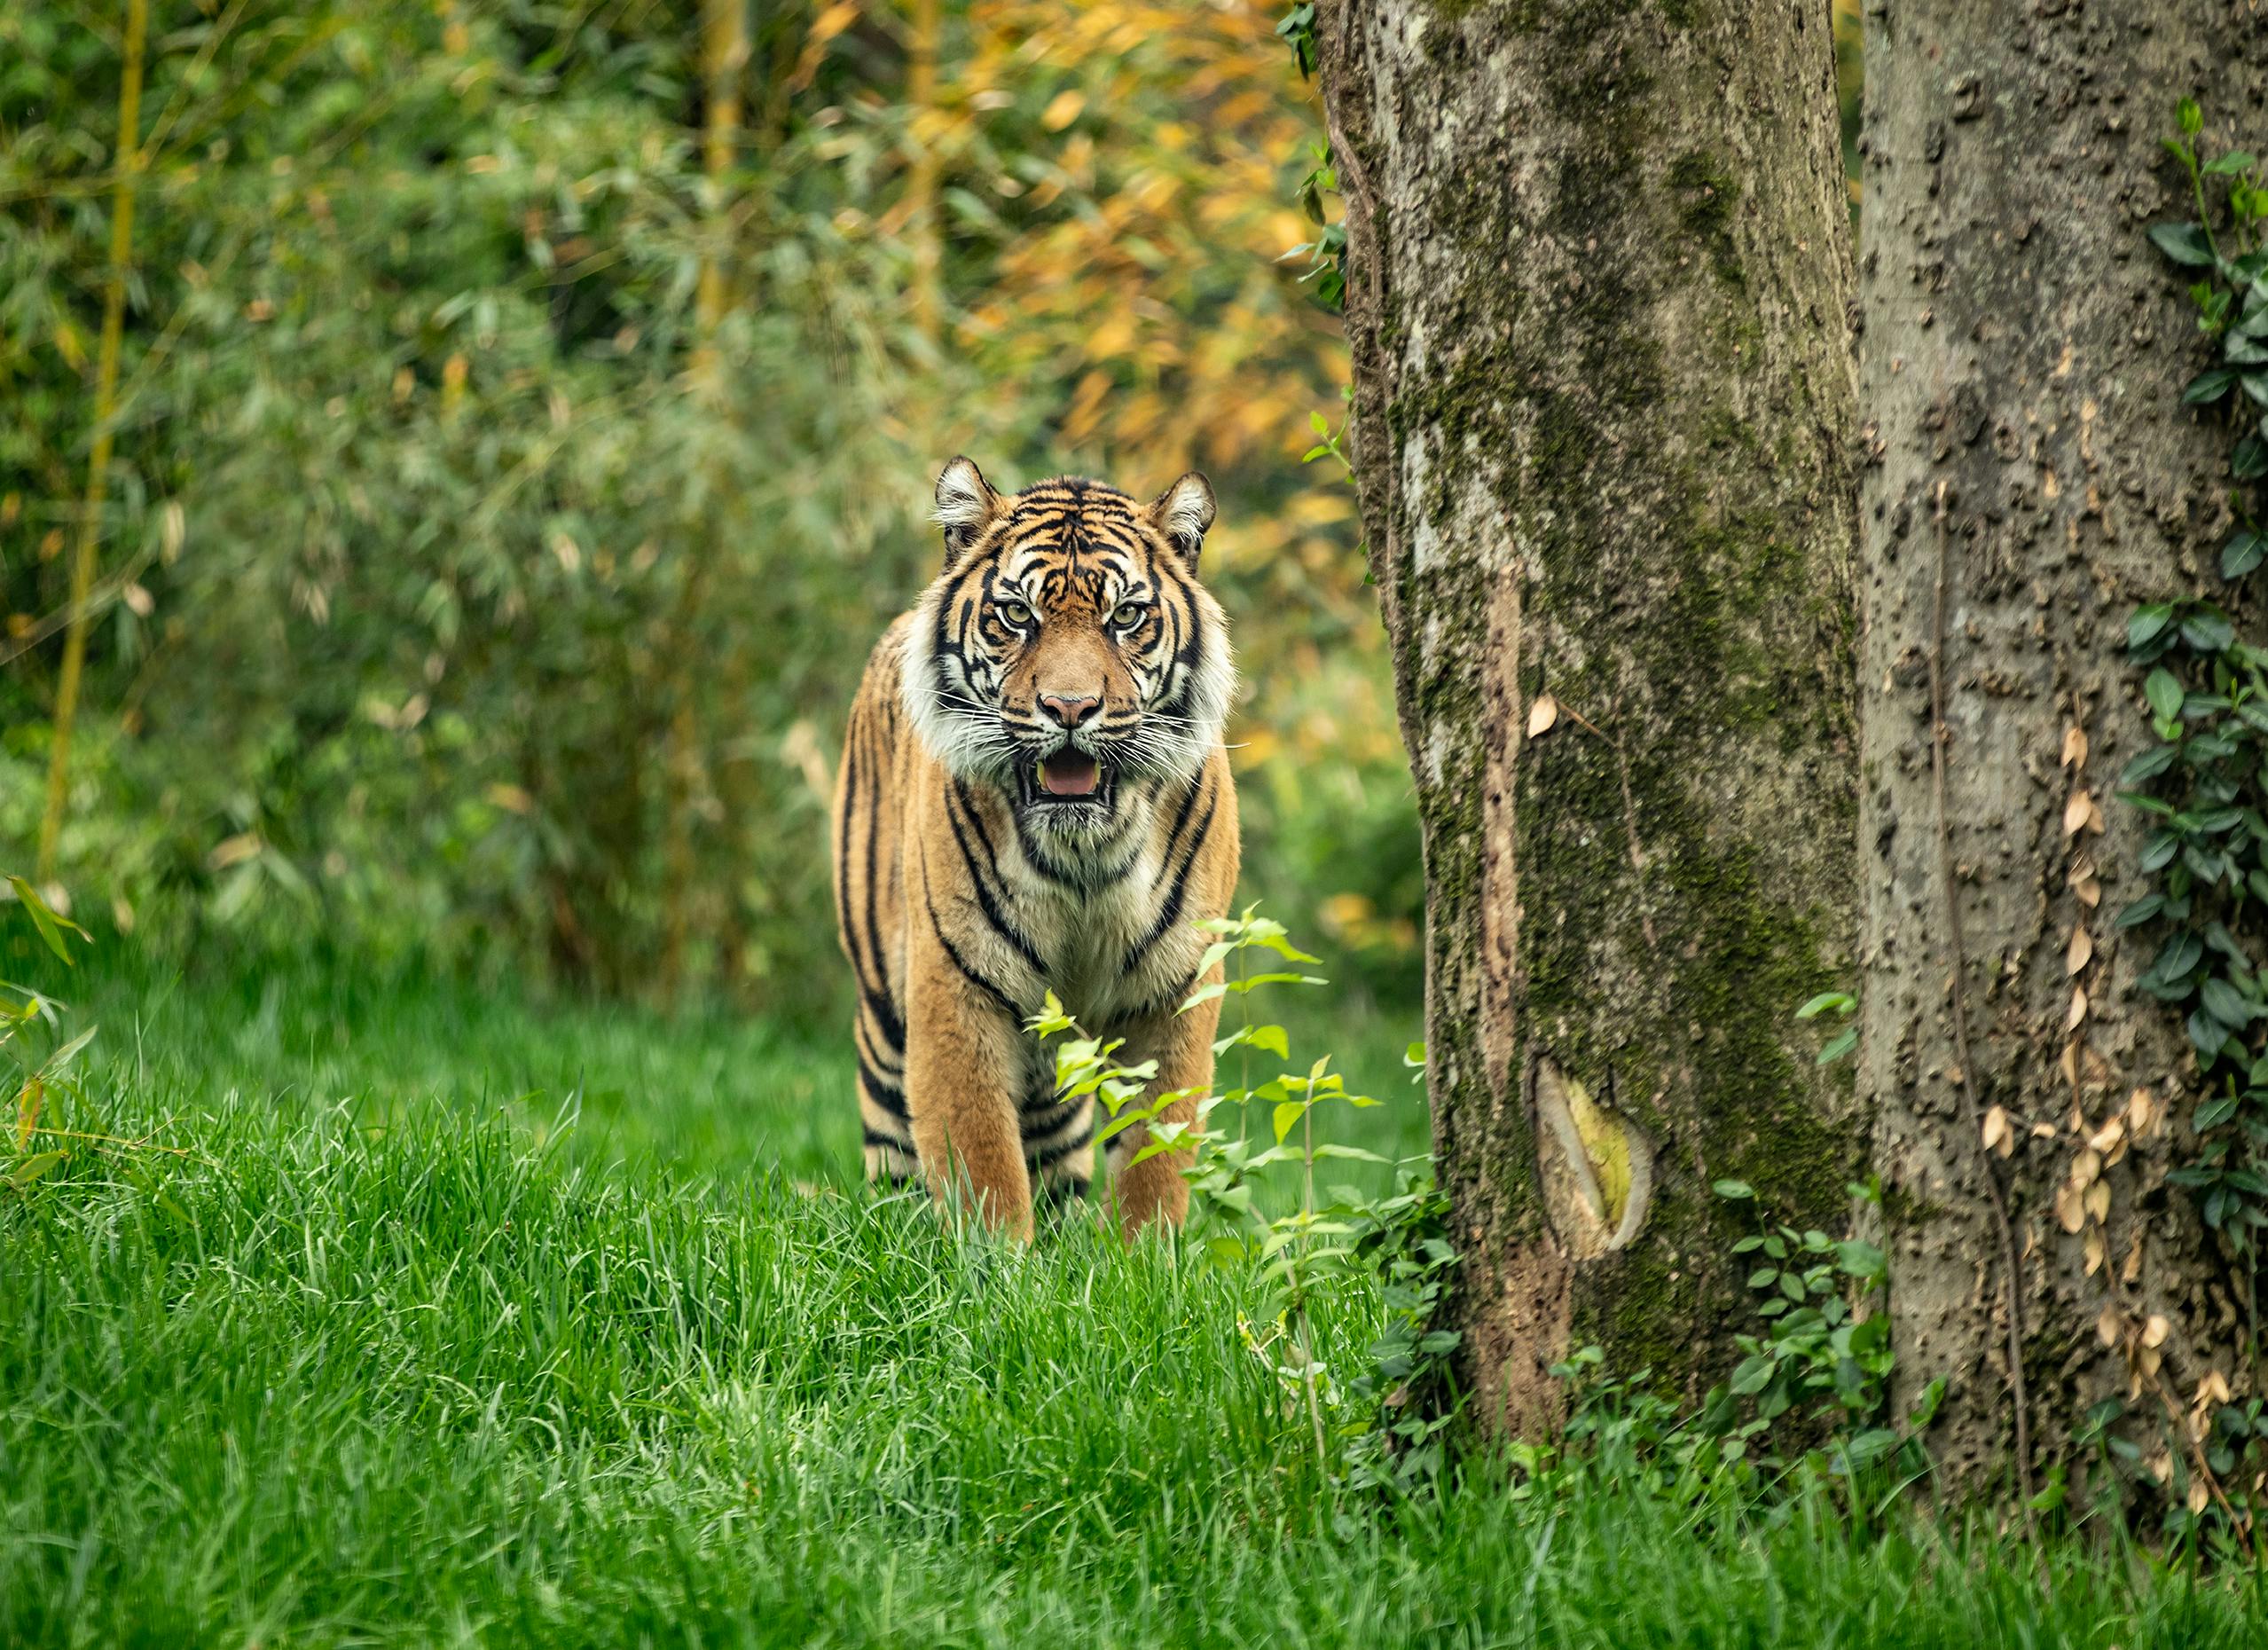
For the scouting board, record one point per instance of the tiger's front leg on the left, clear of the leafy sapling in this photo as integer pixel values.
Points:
(965, 1059)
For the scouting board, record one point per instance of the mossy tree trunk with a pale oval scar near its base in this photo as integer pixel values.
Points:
(1602, 396)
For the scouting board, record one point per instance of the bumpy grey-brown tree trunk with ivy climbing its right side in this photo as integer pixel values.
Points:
(2033, 482)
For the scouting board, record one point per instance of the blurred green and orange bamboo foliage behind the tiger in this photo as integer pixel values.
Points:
(525, 421)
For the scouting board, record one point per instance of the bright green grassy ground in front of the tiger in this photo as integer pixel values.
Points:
(477, 1322)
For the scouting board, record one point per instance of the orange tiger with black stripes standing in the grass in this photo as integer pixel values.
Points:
(1035, 798)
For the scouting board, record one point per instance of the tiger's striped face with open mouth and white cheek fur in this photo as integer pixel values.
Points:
(1069, 648)
